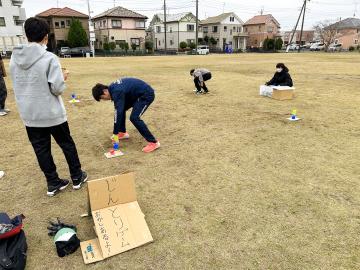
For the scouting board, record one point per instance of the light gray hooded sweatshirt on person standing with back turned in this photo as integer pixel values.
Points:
(38, 83)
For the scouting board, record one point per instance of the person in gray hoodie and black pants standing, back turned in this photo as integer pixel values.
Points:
(38, 83)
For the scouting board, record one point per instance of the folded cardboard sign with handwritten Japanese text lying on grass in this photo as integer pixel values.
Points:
(119, 222)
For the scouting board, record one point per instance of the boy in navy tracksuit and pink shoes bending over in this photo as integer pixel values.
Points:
(129, 93)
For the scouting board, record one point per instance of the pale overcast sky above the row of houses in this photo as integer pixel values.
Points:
(286, 12)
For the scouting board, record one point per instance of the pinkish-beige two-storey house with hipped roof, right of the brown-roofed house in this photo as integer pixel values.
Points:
(119, 25)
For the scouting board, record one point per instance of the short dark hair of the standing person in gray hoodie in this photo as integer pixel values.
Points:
(36, 29)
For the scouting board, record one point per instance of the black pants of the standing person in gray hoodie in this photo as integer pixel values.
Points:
(40, 139)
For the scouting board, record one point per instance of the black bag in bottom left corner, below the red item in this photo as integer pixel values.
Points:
(13, 252)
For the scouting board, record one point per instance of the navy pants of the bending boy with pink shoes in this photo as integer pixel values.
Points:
(139, 108)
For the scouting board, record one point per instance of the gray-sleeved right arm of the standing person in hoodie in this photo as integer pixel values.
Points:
(56, 78)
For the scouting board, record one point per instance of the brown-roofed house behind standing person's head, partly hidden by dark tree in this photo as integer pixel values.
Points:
(59, 20)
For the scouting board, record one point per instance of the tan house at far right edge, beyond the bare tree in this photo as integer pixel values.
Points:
(348, 32)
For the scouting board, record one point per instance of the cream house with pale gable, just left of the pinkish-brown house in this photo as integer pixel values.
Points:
(226, 29)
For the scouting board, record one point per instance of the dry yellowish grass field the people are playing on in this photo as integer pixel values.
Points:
(234, 186)
